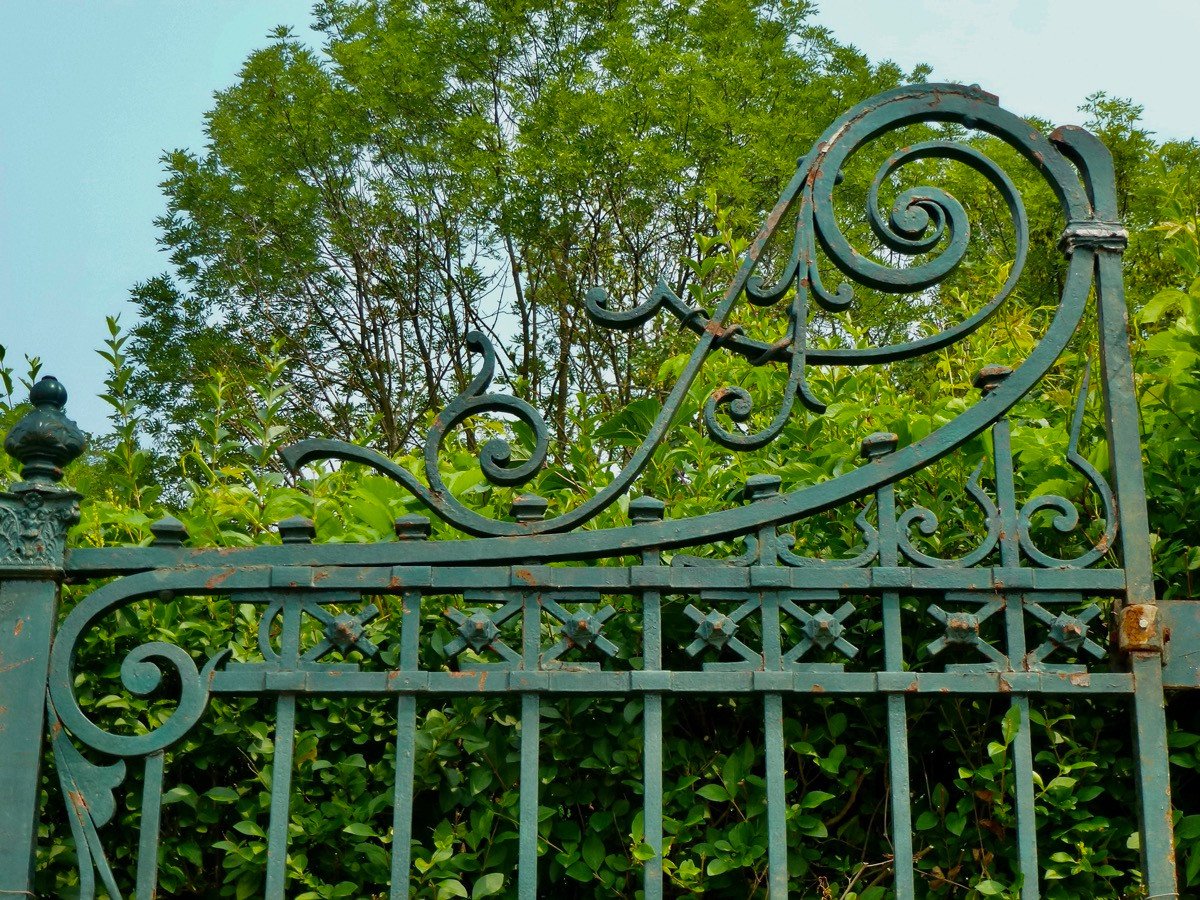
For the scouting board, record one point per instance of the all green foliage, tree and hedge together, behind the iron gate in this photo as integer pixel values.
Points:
(351, 219)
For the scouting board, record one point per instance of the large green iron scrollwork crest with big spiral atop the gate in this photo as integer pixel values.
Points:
(926, 226)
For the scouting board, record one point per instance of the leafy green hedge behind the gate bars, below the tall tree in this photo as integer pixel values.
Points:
(590, 835)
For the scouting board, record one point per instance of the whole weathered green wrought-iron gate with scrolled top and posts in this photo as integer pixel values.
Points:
(1012, 608)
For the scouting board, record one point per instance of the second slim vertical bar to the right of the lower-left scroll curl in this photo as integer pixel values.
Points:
(406, 742)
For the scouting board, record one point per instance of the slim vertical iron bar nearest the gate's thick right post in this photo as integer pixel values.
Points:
(1015, 628)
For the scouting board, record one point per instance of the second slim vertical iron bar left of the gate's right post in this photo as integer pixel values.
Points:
(898, 704)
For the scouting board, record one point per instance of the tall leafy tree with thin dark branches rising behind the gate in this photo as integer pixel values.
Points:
(448, 166)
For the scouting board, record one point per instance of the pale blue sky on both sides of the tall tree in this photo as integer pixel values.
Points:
(93, 93)
